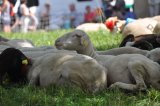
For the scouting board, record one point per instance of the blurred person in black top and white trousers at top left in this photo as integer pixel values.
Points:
(33, 5)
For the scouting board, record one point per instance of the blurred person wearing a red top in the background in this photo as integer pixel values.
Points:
(89, 16)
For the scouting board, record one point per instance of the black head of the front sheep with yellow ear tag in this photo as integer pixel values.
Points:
(14, 63)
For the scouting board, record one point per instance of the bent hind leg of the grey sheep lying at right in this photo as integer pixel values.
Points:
(137, 70)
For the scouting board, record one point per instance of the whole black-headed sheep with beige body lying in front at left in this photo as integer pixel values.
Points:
(54, 68)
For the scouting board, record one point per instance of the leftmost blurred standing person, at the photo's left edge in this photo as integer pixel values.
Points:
(6, 19)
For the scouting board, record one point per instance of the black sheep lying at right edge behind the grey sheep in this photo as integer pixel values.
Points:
(145, 42)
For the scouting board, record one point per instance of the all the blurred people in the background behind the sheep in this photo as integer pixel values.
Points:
(23, 14)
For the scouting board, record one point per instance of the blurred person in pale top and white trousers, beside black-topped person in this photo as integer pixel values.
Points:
(25, 16)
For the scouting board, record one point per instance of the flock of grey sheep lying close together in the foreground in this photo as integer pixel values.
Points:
(74, 61)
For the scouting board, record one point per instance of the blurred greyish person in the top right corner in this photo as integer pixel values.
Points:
(154, 7)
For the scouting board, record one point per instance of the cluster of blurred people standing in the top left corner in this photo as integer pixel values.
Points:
(19, 13)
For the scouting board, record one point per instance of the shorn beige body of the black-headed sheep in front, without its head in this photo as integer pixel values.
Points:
(64, 69)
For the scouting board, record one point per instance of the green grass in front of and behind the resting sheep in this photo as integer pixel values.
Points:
(73, 96)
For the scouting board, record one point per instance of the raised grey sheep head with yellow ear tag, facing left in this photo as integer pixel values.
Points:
(76, 40)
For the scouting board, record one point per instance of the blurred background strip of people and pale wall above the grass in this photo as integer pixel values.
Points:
(31, 15)
